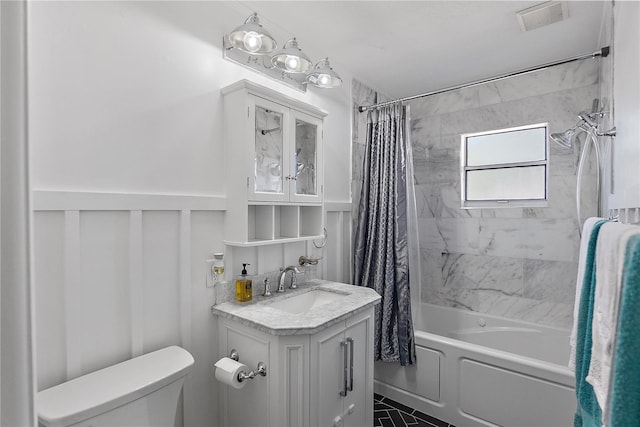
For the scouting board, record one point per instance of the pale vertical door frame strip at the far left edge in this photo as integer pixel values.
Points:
(16, 338)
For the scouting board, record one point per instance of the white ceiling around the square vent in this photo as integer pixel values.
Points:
(404, 48)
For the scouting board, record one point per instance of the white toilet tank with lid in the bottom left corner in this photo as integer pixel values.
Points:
(143, 391)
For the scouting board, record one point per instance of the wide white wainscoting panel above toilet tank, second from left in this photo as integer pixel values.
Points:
(98, 328)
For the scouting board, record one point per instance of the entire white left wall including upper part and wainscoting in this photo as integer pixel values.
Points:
(126, 134)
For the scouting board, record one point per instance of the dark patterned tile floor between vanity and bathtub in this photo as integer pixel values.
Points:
(389, 413)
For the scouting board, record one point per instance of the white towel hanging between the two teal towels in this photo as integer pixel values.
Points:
(610, 250)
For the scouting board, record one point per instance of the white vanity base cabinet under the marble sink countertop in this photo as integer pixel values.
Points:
(322, 379)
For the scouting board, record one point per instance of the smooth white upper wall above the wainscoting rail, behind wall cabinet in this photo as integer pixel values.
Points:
(133, 88)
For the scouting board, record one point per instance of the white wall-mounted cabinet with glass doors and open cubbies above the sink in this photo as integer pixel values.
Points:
(273, 166)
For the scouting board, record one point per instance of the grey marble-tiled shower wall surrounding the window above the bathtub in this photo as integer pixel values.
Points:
(518, 263)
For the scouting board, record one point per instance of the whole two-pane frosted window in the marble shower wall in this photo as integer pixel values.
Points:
(505, 167)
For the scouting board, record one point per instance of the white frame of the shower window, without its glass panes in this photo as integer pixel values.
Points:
(503, 203)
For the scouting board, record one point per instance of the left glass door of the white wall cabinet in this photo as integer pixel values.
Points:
(270, 152)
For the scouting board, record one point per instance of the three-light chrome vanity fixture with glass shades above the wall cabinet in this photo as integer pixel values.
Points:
(250, 45)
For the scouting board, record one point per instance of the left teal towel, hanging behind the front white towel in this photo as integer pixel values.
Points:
(588, 413)
